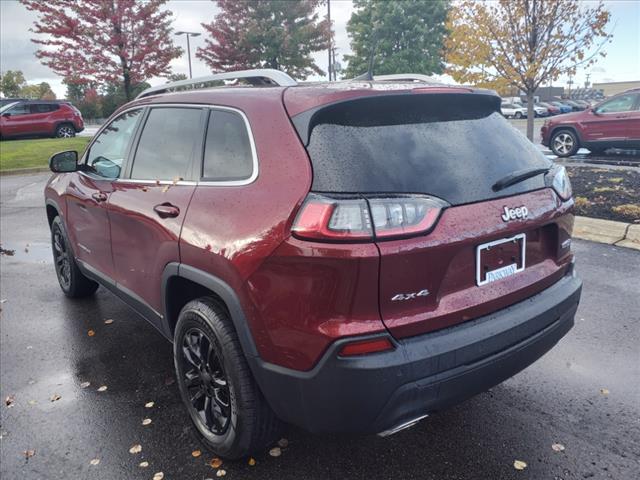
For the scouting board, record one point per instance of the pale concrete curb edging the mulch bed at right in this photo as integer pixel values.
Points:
(619, 234)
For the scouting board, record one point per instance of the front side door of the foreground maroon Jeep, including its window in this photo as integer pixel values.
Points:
(89, 190)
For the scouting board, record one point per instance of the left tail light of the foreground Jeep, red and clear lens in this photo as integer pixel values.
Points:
(366, 218)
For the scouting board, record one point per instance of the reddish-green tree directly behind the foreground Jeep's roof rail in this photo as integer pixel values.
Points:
(280, 34)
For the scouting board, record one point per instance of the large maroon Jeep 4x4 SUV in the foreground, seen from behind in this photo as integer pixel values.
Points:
(345, 257)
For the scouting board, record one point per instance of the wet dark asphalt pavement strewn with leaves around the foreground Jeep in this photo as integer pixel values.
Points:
(45, 350)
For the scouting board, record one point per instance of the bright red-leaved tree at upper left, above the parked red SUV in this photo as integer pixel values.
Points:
(109, 41)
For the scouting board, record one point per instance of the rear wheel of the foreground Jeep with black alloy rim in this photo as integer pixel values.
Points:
(226, 406)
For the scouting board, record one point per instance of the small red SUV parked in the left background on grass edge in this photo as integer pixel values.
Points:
(29, 118)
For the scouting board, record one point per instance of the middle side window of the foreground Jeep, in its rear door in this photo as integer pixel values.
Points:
(167, 144)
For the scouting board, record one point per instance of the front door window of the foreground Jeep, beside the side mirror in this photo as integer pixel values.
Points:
(110, 147)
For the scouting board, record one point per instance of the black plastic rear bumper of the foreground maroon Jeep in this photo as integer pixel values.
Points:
(424, 374)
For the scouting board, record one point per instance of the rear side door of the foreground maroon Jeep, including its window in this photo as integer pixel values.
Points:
(148, 206)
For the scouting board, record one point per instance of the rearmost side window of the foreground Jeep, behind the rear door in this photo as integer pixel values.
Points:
(228, 154)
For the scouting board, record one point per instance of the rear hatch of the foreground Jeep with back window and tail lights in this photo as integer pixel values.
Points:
(429, 177)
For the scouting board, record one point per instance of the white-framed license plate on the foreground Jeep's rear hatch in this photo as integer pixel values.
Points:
(500, 259)
